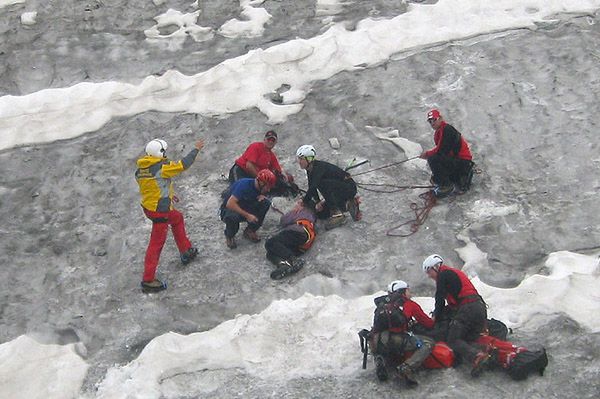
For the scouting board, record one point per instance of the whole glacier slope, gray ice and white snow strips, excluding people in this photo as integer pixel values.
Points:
(519, 79)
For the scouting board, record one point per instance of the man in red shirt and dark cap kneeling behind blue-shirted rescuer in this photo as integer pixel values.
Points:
(259, 156)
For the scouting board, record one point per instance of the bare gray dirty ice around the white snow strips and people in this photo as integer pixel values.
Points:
(73, 235)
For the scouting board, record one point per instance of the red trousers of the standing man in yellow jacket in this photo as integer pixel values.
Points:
(160, 226)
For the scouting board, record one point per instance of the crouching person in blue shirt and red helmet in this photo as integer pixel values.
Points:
(245, 200)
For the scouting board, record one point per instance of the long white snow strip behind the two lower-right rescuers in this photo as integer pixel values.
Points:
(321, 331)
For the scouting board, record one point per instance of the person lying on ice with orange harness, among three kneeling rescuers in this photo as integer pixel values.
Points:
(296, 237)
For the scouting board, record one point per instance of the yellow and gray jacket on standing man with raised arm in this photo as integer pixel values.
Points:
(154, 179)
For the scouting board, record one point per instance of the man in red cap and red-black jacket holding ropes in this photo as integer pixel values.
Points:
(450, 160)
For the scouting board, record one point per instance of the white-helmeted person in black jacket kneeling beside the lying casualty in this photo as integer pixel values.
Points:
(336, 186)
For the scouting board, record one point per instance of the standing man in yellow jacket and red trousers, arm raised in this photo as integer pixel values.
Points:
(153, 176)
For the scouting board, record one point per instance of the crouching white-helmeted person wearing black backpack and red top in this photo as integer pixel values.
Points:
(391, 340)
